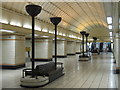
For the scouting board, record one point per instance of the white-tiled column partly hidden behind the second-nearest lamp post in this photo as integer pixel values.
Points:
(61, 49)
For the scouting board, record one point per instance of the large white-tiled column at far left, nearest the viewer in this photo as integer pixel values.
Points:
(13, 51)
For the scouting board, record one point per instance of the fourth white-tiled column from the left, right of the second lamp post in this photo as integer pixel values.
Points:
(71, 47)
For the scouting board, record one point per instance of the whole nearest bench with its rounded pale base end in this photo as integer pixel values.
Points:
(45, 70)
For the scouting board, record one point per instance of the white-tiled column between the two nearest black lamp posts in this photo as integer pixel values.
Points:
(43, 50)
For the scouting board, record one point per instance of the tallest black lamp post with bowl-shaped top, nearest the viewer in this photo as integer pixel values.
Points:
(33, 10)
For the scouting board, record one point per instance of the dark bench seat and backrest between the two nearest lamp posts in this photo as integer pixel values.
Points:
(47, 69)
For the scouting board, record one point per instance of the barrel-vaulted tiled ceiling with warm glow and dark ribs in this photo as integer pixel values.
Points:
(76, 16)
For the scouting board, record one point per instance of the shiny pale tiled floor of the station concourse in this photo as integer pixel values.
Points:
(96, 73)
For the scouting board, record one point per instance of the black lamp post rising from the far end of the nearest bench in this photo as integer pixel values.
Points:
(55, 21)
